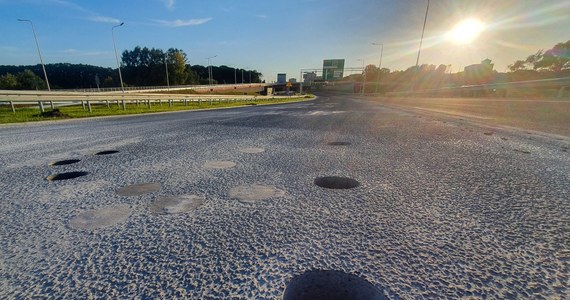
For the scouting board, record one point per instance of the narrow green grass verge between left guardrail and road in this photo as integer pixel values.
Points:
(31, 114)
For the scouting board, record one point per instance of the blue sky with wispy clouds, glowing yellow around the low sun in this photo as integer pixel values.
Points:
(281, 36)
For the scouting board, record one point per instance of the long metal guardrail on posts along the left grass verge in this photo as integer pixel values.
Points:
(87, 99)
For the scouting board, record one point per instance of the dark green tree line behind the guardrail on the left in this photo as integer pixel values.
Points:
(139, 67)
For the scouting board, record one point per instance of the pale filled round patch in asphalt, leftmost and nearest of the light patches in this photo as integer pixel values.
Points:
(101, 217)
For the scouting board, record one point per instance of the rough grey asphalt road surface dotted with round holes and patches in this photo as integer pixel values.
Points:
(223, 204)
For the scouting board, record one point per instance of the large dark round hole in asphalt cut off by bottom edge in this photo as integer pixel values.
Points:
(330, 285)
